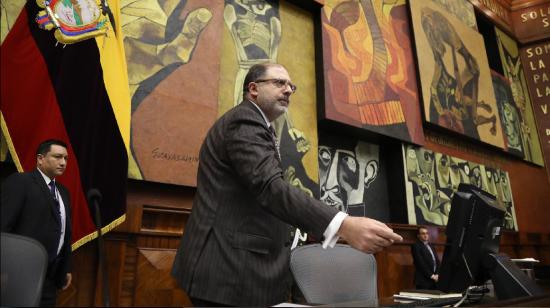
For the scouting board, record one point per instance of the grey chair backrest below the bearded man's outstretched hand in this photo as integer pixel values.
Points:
(334, 275)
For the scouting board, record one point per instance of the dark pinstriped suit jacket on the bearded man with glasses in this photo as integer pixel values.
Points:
(235, 248)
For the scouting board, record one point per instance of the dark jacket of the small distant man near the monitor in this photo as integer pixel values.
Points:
(423, 264)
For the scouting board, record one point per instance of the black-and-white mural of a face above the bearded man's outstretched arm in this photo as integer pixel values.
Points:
(352, 178)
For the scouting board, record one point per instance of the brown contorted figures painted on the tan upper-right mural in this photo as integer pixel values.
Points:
(455, 84)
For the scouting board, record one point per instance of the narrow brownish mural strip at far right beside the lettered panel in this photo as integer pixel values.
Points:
(513, 70)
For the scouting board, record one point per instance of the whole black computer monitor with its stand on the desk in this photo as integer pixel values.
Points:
(471, 252)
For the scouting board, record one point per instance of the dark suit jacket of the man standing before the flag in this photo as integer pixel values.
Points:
(28, 209)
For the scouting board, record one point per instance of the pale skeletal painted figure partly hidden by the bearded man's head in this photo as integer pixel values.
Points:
(255, 27)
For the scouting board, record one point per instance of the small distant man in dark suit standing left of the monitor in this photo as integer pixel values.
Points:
(426, 261)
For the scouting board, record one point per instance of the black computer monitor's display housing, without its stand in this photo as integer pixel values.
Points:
(473, 232)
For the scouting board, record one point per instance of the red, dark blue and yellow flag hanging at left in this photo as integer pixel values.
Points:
(77, 93)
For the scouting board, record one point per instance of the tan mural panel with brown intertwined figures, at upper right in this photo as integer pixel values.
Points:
(454, 74)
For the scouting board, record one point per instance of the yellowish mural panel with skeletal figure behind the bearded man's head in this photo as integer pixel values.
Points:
(276, 31)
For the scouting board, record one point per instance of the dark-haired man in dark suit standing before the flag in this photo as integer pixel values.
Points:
(35, 205)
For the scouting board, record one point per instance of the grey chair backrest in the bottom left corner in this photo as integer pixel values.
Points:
(24, 262)
